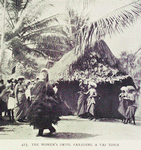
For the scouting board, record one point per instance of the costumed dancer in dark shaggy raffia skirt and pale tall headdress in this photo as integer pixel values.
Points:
(44, 110)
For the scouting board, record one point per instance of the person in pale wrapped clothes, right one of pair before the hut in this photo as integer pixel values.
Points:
(91, 101)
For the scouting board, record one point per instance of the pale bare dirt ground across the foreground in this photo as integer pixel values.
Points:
(73, 127)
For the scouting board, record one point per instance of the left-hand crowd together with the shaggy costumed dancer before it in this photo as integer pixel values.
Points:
(35, 101)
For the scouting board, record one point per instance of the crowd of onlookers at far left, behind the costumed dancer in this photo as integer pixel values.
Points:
(13, 98)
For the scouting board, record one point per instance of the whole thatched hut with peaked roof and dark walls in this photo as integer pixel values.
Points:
(97, 64)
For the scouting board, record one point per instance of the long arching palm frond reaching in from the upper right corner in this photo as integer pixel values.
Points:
(111, 23)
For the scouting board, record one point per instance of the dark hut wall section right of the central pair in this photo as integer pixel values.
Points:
(107, 106)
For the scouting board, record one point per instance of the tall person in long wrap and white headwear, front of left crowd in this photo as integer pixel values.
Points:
(21, 102)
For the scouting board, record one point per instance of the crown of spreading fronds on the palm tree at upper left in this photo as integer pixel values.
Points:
(26, 31)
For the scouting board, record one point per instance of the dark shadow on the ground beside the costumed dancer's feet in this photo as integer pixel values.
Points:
(69, 135)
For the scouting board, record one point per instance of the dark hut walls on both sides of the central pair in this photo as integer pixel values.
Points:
(106, 107)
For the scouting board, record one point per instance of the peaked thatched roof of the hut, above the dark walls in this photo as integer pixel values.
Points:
(97, 63)
